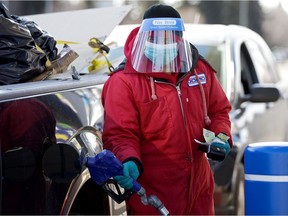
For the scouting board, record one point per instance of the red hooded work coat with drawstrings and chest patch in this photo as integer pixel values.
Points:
(159, 134)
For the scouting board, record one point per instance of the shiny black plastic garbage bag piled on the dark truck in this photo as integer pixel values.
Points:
(20, 60)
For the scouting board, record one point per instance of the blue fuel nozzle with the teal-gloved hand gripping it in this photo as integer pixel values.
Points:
(105, 165)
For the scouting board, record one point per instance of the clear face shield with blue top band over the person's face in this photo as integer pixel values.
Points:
(160, 46)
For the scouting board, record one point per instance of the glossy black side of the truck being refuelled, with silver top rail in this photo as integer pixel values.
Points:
(35, 181)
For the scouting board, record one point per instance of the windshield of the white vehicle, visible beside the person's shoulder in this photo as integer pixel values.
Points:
(215, 55)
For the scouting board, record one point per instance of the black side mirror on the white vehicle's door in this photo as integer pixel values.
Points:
(263, 93)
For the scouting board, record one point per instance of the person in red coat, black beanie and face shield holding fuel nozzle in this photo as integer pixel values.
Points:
(156, 107)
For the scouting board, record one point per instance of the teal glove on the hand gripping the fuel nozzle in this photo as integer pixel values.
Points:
(130, 173)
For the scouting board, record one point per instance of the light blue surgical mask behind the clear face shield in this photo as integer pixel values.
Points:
(160, 54)
